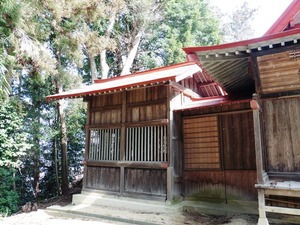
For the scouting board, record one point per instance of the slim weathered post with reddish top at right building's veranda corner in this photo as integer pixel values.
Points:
(261, 175)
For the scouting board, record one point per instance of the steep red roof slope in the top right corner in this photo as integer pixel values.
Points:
(286, 17)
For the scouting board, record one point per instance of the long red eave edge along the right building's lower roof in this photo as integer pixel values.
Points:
(189, 50)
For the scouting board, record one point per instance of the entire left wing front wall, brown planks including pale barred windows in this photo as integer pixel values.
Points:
(122, 124)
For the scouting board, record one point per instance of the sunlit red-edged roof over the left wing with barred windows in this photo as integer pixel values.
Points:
(175, 73)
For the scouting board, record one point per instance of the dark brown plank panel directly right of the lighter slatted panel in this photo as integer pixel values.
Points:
(238, 141)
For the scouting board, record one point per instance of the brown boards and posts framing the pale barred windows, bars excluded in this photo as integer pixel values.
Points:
(122, 110)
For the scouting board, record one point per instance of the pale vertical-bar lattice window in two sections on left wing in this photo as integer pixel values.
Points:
(143, 144)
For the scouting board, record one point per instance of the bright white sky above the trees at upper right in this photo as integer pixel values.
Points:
(268, 11)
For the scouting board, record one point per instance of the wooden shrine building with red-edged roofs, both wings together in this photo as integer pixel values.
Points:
(223, 126)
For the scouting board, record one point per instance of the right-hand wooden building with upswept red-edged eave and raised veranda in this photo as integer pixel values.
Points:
(269, 68)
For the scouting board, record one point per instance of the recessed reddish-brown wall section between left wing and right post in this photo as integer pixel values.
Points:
(230, 138)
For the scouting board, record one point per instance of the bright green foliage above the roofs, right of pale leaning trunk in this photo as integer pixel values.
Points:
(183, 23)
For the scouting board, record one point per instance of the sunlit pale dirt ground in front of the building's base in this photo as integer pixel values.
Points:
(43, 217)
